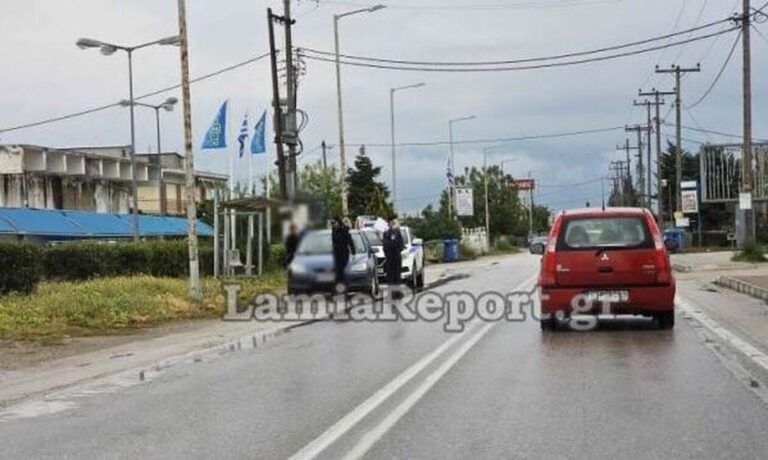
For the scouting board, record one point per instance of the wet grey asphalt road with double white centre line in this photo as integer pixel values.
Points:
(349, 389)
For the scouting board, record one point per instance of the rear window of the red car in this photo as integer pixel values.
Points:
(583, 233)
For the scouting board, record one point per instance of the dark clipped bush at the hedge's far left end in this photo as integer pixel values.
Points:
(22, 267)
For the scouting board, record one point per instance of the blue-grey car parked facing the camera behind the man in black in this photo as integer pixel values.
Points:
(312, 268)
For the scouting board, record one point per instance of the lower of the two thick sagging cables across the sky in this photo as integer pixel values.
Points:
(519, 68)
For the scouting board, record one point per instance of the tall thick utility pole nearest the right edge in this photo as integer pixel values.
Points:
(746, 232)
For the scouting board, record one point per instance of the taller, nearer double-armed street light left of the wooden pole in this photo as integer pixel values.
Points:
(108, 49)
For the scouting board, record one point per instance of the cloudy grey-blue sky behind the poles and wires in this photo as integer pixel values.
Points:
(44, 75)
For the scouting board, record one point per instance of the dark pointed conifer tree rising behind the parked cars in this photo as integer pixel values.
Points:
(364, 188)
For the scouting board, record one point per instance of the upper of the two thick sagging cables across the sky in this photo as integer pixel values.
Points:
(515, 61)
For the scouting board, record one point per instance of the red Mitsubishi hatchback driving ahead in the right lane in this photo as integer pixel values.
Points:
(606, 261)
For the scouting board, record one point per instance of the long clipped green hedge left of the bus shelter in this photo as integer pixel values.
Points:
(24, 265)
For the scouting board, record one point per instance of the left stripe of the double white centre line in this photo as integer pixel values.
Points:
(340, 428)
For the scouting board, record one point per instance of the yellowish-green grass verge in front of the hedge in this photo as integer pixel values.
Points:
(56, 310)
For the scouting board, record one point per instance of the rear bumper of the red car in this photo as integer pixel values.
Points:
(642, 300)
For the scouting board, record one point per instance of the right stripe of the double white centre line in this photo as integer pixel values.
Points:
(373, 436)
